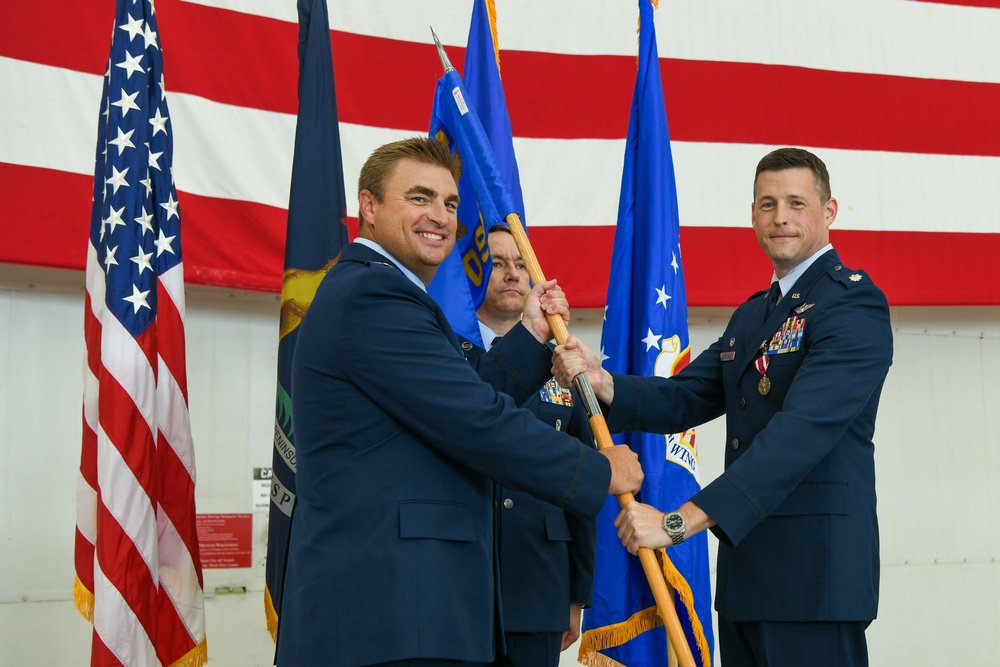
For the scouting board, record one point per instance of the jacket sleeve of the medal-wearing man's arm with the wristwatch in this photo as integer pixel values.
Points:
(829, 403)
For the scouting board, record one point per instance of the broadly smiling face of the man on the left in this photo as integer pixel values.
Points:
(416, 220)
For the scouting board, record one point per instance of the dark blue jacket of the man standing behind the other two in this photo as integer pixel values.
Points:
(546, 554)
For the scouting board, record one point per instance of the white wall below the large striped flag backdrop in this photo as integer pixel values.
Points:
(938, 464)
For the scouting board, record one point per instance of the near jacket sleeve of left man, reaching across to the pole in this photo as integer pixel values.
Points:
(408, 364)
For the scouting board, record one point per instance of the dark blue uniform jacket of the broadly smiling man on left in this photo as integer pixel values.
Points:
(391, 548)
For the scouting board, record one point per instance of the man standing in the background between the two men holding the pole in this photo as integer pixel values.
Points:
(546, 555)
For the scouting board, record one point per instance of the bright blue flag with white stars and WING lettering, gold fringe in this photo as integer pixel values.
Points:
(645, 333)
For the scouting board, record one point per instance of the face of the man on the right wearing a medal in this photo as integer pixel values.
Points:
(789, 216)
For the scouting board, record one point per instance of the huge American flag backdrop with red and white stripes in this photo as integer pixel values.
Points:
(900, 97)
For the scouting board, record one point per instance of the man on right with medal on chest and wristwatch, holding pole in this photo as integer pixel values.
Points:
(799, 381)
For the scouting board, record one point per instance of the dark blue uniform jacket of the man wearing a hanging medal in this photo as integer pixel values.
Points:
(795, 506)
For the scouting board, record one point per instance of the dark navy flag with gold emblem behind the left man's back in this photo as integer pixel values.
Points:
(315, 236)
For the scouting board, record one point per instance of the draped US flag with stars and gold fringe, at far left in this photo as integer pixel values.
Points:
(138, 569)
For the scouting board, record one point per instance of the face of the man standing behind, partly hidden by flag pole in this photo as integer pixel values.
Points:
(508, 287)
